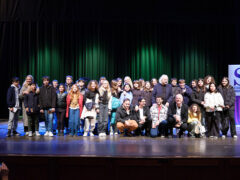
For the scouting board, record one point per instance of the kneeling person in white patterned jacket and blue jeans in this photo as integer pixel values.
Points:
(159, 115)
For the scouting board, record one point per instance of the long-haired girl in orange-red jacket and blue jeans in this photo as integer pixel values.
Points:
(74, 109)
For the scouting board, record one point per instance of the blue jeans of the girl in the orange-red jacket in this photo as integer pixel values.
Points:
(73, 123)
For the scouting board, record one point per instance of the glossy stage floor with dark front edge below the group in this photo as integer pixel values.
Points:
(116, 157)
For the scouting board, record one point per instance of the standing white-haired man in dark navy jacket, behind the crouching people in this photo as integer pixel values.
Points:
(164, 90)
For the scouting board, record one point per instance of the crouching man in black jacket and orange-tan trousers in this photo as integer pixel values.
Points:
(125, 118)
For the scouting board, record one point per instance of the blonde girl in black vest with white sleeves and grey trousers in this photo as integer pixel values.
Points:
(105, 106)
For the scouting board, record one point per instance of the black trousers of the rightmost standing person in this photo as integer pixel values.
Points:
(228, 118)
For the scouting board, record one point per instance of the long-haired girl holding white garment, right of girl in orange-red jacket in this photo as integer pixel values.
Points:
(89, 109)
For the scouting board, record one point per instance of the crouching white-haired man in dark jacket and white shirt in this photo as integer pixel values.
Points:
(178, 115)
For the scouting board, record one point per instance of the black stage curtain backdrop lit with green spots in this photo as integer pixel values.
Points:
(186, 39)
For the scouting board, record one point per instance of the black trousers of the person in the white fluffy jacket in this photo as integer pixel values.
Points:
(213, 122)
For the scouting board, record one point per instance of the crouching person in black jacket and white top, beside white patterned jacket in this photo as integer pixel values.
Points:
(142, 114)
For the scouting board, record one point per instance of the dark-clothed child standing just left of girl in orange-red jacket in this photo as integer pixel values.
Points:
(61, 108)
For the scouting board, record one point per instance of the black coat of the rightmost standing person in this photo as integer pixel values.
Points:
(229, 96)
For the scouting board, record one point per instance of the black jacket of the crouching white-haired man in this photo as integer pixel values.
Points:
(172, 111)
